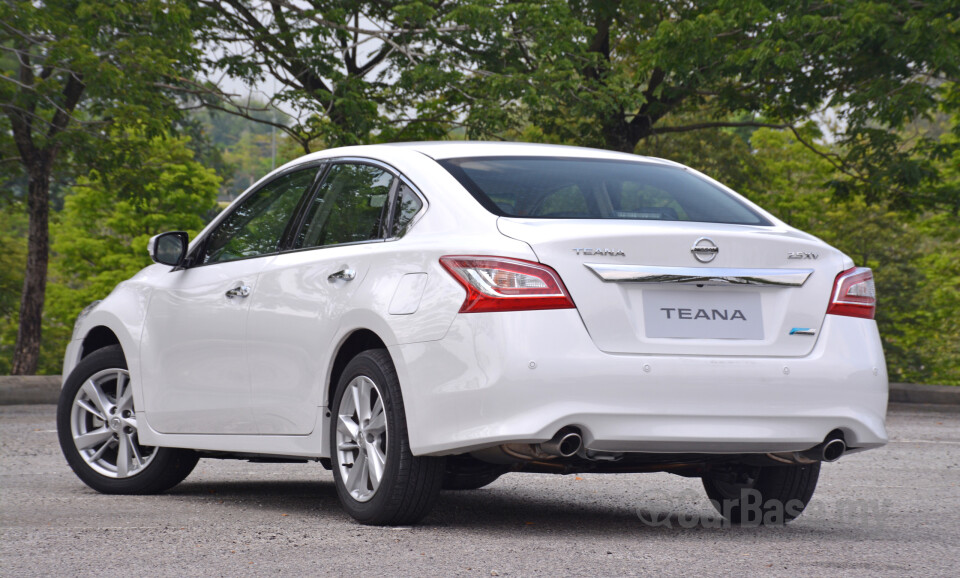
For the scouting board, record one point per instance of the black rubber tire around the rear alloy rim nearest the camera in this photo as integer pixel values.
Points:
(409, 485)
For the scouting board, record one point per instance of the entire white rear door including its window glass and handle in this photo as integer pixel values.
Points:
(302, 295)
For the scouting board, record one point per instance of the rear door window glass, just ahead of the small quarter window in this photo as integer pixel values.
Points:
(349, 207)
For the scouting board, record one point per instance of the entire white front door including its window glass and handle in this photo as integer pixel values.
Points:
(193, 352)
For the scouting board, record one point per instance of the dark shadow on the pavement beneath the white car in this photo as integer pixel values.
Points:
(498, 510)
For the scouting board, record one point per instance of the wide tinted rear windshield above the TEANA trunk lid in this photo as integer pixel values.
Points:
(564, 188)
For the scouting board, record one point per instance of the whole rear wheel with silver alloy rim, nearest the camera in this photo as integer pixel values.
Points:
(379, 481)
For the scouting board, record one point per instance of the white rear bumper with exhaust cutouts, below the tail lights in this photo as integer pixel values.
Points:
(521, 376)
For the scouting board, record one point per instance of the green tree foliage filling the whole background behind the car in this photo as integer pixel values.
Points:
(736, 88)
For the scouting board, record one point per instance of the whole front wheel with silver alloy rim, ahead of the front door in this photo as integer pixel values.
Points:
(98, 433)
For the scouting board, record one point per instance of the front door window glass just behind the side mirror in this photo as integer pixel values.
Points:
(257, 224)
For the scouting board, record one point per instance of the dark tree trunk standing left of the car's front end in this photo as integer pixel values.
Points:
(26, 354)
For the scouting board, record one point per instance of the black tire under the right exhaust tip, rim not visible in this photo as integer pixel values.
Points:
(767, 495)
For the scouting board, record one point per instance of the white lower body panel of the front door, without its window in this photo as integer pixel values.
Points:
(195, 374)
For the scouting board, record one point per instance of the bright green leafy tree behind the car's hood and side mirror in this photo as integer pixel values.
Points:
(102, 233)
